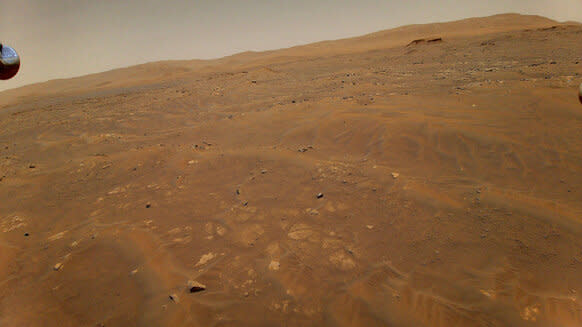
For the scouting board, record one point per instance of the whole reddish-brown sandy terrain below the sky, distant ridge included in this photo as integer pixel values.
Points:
(360, 182)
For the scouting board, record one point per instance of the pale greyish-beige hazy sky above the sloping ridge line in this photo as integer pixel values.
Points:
(65, 38)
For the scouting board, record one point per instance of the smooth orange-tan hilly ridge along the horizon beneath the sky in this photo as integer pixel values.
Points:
(167, 70)
